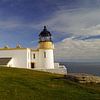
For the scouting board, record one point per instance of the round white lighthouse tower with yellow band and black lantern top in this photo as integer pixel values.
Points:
(46, 46)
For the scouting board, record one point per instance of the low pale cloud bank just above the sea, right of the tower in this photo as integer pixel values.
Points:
(77, 50)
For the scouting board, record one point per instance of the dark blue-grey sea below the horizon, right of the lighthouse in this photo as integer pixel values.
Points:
(83, 67)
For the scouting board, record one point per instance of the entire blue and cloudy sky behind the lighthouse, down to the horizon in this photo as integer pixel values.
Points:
(74, 24)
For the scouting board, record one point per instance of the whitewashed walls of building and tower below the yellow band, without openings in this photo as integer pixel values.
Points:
(22, 58)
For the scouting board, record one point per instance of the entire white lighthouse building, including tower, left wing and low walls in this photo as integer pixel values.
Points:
(40, 59)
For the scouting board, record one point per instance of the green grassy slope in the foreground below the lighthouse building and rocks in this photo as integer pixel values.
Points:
(23, 84)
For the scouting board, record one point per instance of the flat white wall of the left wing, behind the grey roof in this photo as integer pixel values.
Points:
(19, 57)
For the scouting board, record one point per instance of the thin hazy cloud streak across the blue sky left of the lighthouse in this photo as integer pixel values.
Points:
(15, 24)
